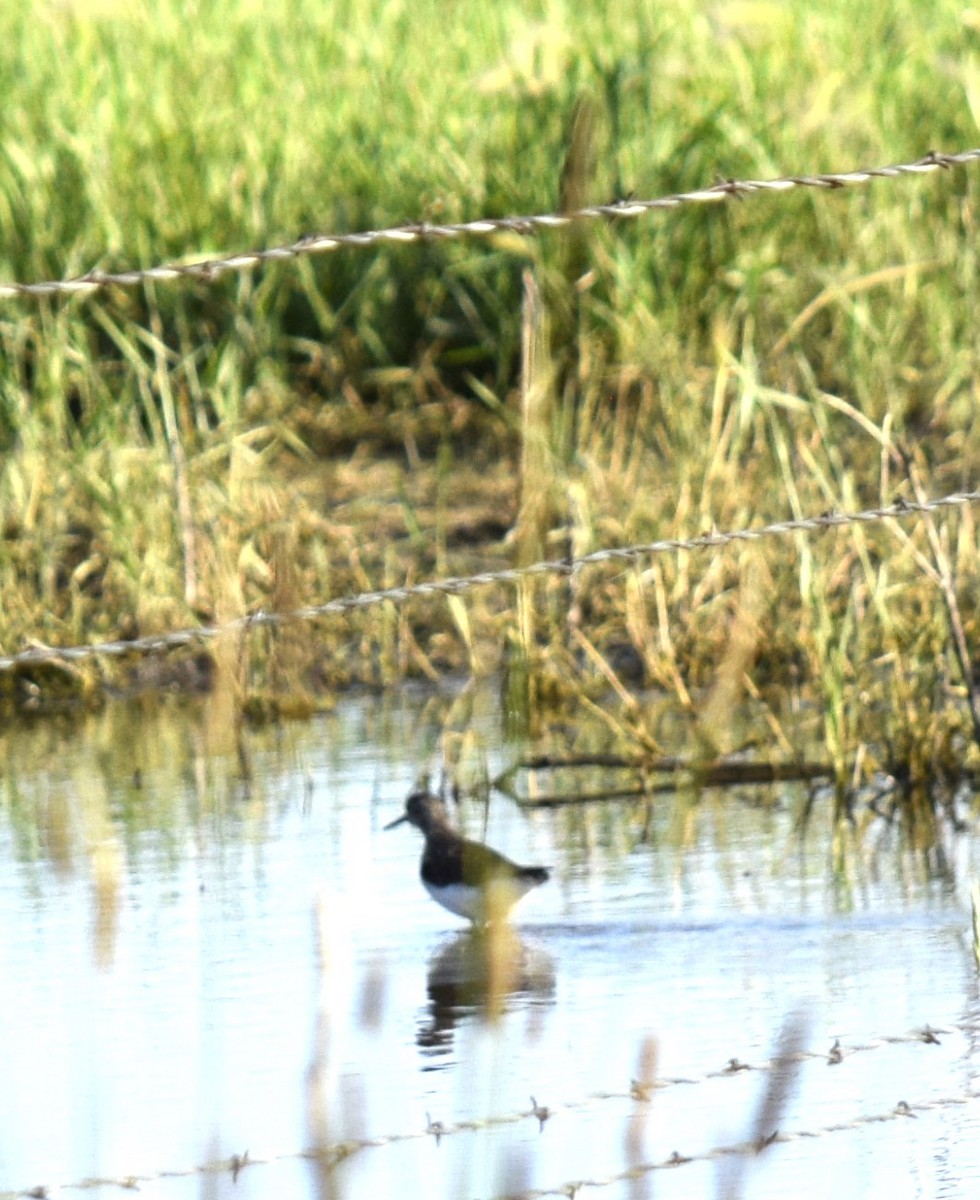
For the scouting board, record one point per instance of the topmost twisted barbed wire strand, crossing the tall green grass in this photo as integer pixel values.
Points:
(525, 226)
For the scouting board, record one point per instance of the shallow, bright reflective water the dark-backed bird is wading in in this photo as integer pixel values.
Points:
(195, 968)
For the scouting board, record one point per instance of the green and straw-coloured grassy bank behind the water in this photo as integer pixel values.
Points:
(187, 453)
